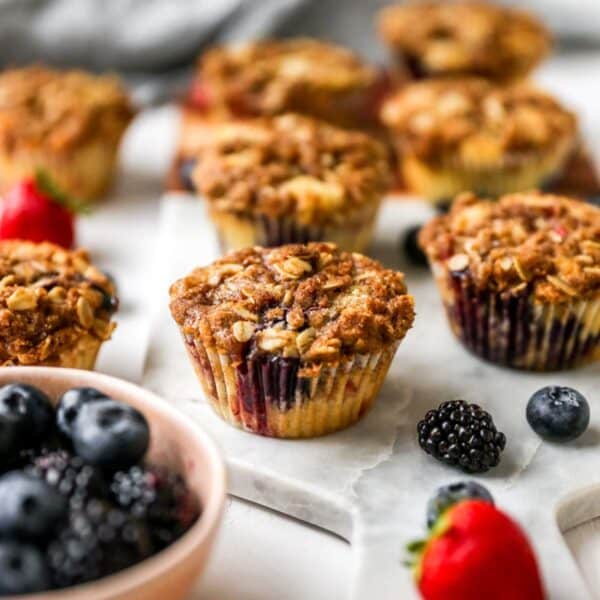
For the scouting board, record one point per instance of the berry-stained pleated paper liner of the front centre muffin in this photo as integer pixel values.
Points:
(268, 394)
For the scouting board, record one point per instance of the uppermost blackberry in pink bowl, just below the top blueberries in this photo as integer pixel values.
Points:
(71, 476)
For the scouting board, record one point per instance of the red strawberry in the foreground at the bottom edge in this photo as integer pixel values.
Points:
(475, 551)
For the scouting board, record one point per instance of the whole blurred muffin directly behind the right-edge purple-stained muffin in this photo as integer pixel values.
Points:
(462, 135)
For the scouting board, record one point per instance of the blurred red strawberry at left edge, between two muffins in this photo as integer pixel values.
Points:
(35, 210)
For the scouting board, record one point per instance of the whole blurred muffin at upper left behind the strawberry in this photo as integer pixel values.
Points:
(68, 123)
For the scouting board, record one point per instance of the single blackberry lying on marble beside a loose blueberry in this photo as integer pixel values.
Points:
(462, 435)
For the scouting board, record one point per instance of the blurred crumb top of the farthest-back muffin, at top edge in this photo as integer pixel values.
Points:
(465, 38)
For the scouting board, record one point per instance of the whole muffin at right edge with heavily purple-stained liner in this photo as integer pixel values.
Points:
(520, 278)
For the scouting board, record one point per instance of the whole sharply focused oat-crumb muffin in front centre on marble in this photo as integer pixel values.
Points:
(292, 341)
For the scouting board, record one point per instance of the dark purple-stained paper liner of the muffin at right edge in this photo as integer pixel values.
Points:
(516, 331)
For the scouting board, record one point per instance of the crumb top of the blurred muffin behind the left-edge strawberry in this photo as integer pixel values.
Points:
(59, 110)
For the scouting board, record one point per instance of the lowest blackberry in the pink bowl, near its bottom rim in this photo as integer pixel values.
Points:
(98, 540)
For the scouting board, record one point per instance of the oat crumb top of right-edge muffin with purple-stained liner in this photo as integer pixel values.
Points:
(549, 245)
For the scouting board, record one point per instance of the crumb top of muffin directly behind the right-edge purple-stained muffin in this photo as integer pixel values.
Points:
(472, 120)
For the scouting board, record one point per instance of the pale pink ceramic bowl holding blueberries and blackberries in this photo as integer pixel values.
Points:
(174, 443)
